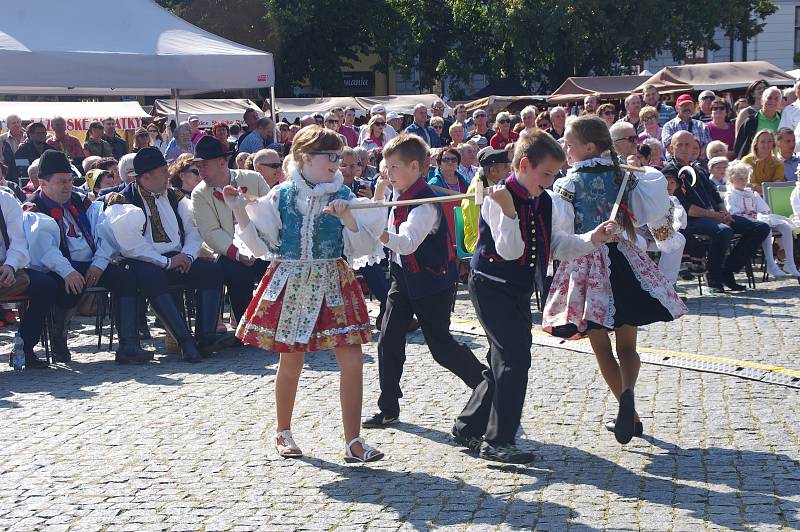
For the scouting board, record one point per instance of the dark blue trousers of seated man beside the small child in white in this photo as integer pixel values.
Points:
(751, 235)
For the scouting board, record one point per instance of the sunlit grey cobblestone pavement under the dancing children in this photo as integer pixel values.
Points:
(171, 446)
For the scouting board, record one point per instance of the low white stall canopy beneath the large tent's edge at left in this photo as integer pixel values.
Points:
(78, 115)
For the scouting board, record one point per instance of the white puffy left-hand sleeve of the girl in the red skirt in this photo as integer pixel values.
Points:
(262, 234)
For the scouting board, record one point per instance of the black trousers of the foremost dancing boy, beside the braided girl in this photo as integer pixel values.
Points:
(495, 407)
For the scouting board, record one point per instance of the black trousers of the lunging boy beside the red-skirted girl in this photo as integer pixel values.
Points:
(433, 314)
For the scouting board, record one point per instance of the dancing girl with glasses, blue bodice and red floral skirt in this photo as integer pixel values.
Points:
(309, 300)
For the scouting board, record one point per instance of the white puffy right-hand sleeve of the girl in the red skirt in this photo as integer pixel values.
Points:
(363, 248)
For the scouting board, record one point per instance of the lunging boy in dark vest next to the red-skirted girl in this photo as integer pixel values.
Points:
(423, 271)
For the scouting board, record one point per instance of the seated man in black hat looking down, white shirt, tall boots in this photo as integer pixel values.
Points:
(159, 241)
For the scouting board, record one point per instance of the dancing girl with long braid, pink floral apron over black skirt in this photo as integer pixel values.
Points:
(615, 288)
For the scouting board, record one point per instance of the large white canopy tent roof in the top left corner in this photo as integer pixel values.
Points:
(129, 48)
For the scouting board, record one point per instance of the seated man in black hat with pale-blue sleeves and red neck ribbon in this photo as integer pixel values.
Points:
(66, 242)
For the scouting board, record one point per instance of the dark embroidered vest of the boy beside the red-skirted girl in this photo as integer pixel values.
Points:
(432, 267)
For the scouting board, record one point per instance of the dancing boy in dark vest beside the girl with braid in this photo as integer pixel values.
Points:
(515, 235)
